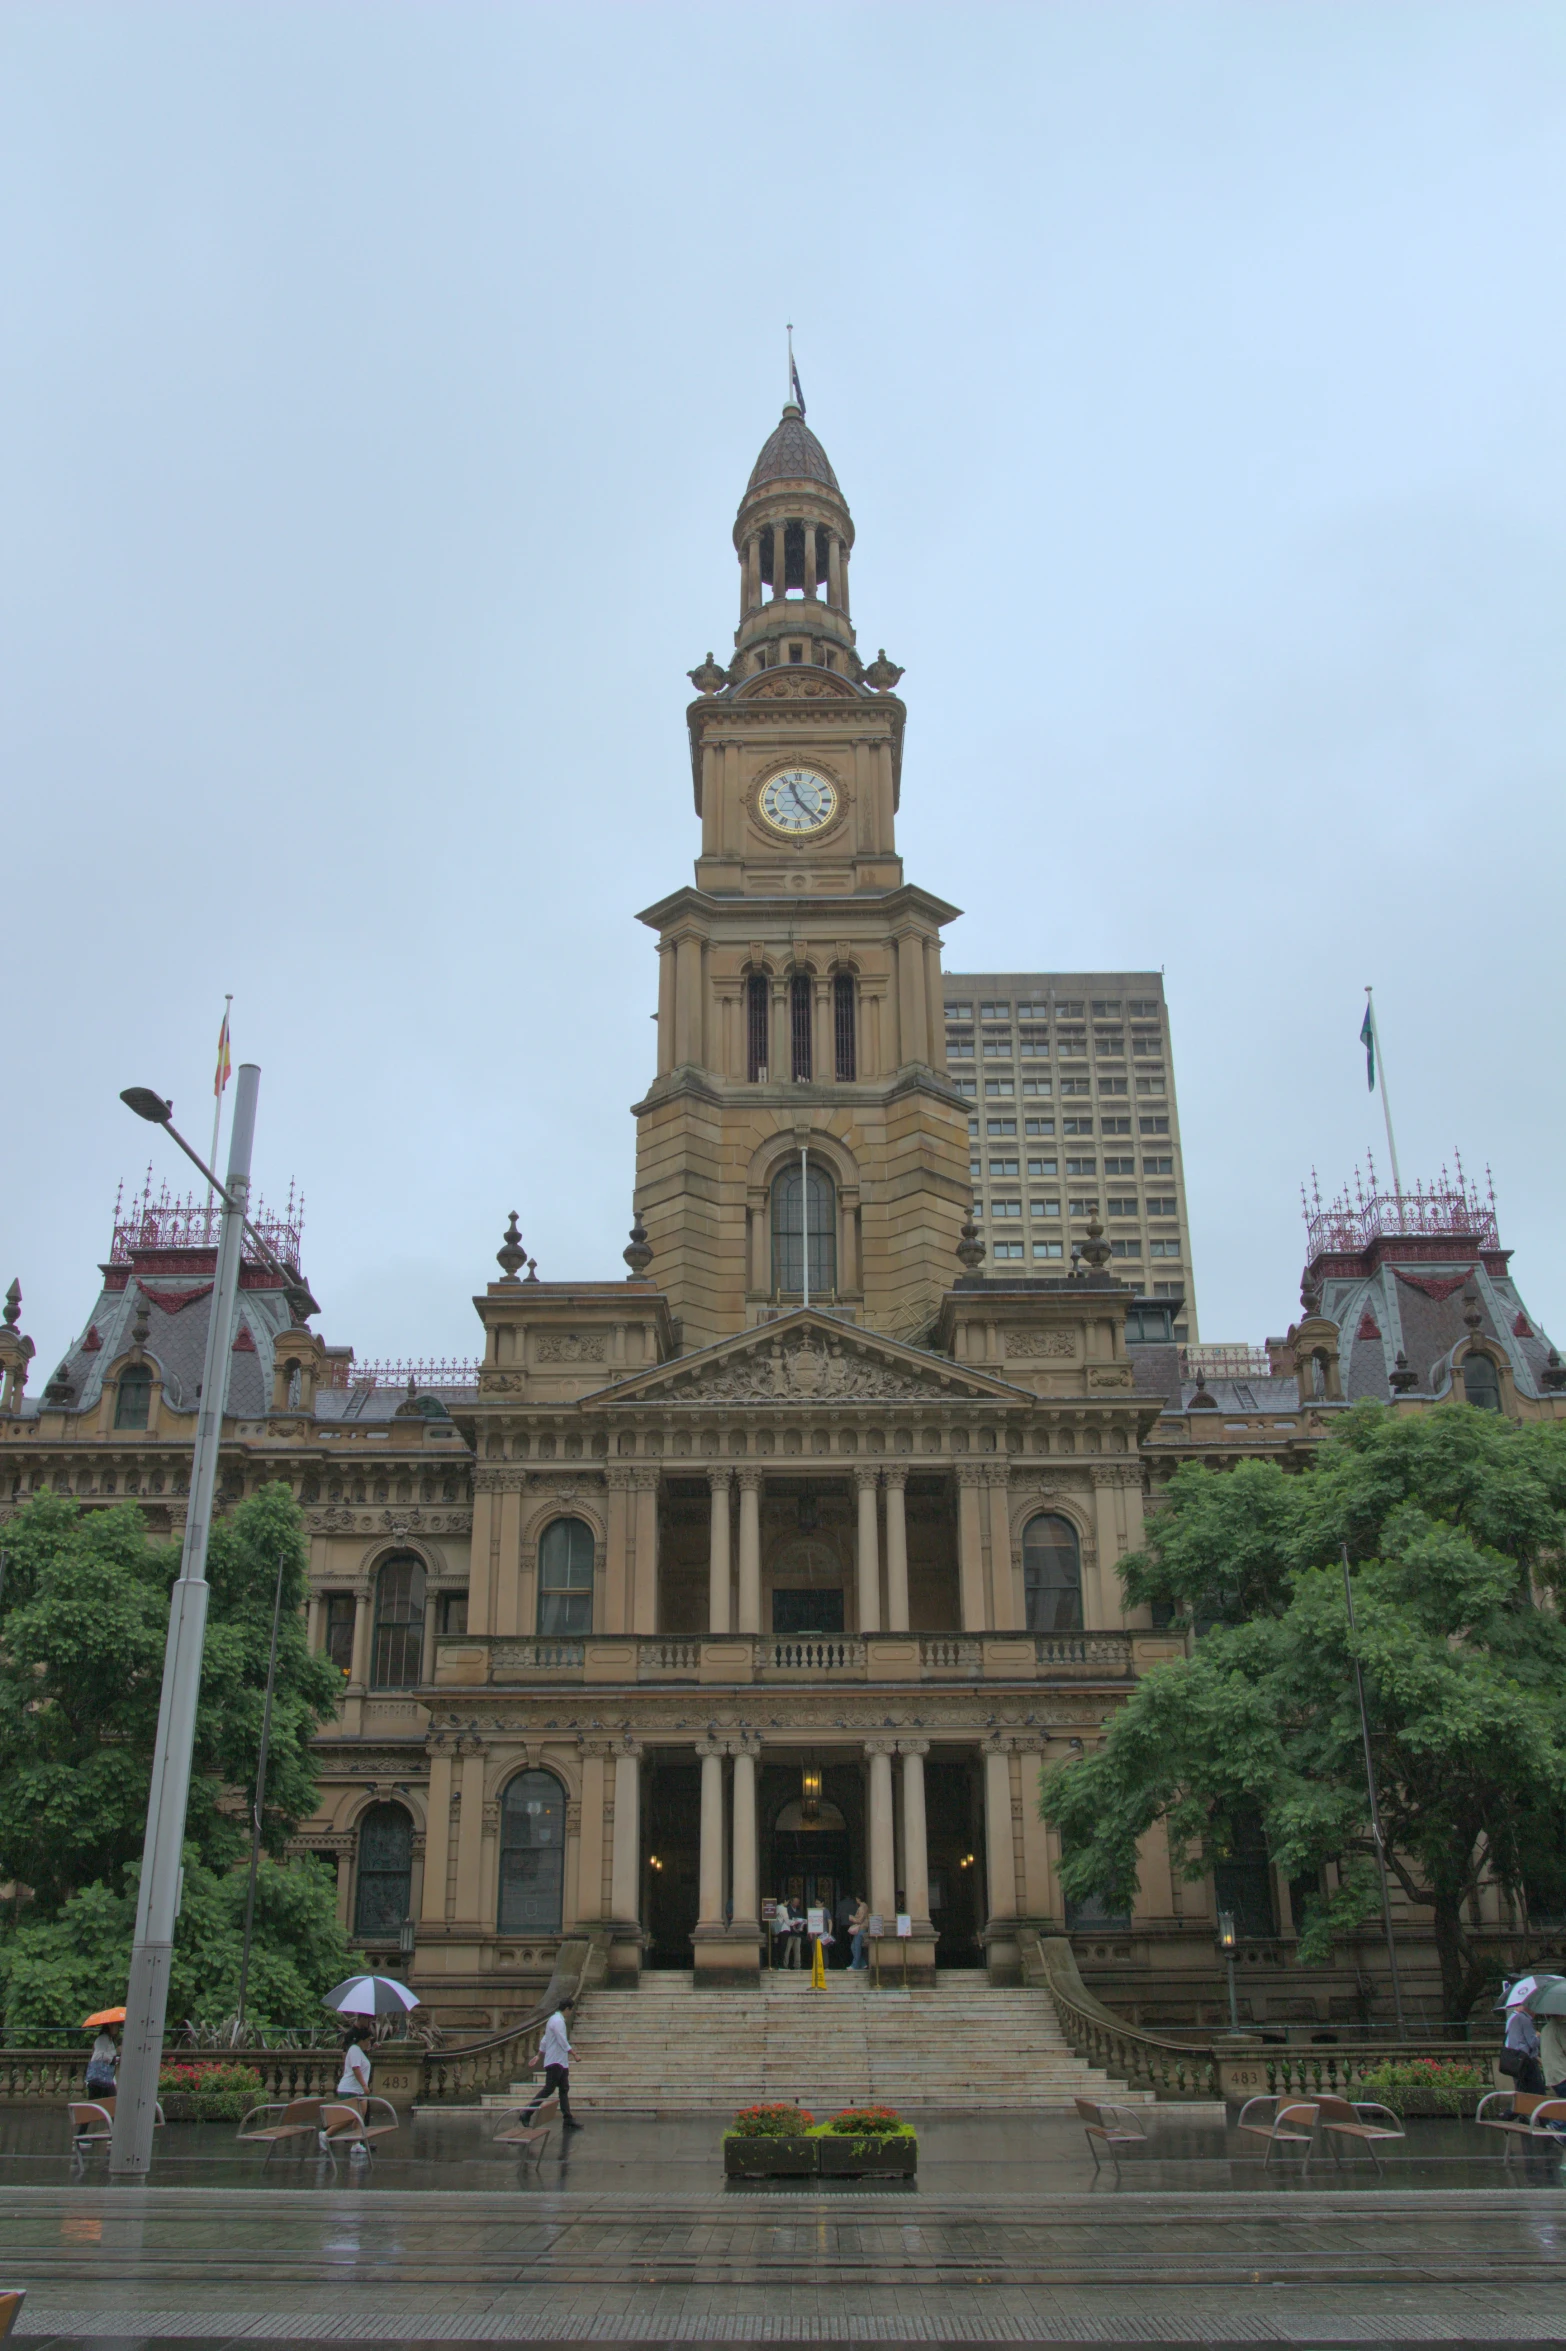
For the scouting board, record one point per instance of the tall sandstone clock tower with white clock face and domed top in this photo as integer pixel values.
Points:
(801, 1139)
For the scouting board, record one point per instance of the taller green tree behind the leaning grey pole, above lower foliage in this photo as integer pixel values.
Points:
(81, 1675)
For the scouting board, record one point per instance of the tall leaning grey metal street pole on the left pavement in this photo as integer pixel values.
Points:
(182, 1673)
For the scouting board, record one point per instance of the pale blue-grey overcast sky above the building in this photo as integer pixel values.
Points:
(377, 389)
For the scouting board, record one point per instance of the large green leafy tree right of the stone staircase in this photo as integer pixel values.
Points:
(1457, 1534)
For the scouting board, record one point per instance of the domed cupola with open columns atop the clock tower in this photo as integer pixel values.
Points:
(794, 537)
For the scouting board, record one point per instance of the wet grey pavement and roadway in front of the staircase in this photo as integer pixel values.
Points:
(627, 2232)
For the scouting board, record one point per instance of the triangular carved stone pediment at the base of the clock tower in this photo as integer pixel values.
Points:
(812, 1360)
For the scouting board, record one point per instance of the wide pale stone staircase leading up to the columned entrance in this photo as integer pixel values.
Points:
(671, 2049)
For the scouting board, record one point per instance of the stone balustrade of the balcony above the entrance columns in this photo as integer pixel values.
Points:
(716, 1659)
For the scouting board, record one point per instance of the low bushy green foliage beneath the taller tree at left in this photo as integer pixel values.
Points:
(55, 1971)
